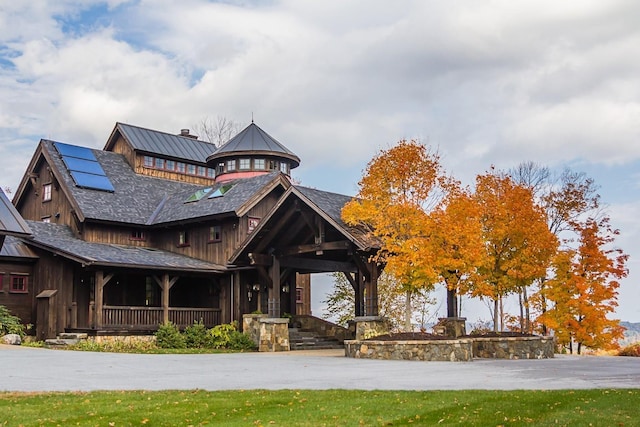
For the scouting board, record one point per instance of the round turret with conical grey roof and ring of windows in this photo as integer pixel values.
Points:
(251, 152)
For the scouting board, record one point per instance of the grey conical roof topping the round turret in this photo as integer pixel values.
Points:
(254, 140)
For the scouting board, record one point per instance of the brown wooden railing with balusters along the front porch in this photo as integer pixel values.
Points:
(151, 317)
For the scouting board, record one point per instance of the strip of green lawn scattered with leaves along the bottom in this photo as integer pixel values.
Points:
(323, 408)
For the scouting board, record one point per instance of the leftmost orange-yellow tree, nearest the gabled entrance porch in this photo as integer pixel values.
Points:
(399, 188)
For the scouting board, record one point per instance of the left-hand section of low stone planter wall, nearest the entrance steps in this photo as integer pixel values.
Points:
(460, 350)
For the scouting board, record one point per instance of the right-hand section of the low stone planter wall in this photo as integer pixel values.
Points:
(514, 348)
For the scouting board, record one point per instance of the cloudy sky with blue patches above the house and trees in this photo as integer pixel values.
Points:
(491, 83)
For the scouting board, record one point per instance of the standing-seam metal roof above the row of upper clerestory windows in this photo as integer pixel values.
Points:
(166, 144)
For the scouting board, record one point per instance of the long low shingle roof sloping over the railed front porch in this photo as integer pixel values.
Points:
(60, 239)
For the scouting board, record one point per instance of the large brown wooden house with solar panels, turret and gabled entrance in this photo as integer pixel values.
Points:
(161, 227)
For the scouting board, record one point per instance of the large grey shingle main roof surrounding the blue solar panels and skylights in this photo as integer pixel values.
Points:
(143, 200)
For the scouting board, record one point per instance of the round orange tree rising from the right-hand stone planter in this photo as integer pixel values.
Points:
(518, 243)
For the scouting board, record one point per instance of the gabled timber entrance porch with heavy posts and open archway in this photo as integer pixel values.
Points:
(304, 234)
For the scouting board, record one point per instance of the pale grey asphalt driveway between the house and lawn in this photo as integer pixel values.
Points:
(36, 369)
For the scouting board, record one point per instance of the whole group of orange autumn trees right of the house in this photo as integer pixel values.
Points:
(525, 233)
